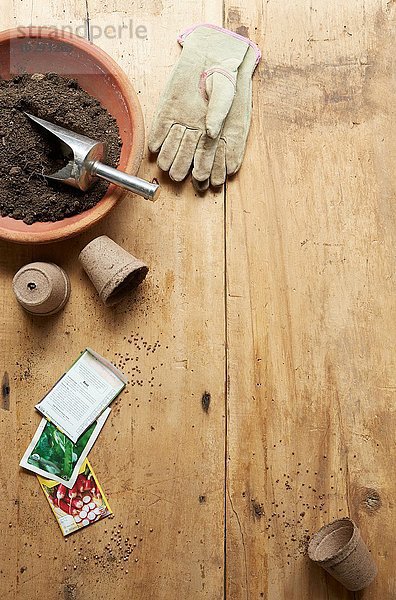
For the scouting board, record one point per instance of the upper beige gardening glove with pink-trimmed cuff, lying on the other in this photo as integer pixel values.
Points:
(197, 98)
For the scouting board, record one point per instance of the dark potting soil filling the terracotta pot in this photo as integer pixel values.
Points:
(27, 153)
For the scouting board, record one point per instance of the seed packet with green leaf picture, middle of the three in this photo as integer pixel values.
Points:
(51, 454)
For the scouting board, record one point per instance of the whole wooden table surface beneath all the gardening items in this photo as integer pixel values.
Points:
(275, 296)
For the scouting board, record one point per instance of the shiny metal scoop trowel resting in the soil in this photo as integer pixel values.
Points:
(85, 156)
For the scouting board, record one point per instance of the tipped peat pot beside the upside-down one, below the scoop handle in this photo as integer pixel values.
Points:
(113, 271)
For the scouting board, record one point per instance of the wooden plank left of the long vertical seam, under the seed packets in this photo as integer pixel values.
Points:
(161, 456)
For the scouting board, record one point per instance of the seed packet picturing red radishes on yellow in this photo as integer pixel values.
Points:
(82, 505)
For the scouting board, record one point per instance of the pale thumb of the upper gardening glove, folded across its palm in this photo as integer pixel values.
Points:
(220, 90)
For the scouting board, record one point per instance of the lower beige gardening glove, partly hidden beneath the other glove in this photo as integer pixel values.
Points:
(214, 161)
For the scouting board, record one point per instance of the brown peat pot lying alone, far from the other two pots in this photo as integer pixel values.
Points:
(340, 550)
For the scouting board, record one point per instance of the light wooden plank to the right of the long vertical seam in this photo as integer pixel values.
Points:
(310, 297)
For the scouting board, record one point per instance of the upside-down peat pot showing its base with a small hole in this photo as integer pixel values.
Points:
(41, 288)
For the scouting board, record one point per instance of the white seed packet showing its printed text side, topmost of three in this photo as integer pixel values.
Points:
(82, 394)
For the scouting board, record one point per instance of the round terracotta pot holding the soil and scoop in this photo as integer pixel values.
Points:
(41, 49)
